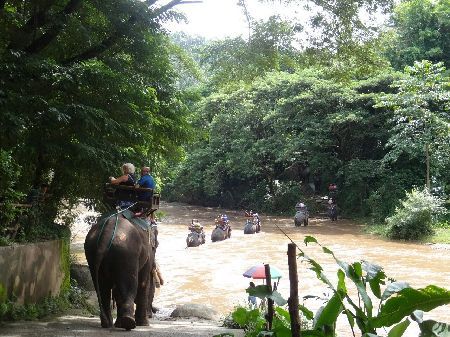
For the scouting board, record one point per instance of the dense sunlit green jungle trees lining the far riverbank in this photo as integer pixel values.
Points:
(366, 110)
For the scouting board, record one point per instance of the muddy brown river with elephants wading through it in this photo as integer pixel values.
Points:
(212, 273)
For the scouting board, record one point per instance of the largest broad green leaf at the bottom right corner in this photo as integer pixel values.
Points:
(407, 301)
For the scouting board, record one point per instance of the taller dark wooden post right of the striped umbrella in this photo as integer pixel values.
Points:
(293, 297)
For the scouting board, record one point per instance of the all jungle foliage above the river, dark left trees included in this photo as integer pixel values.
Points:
(250, 122)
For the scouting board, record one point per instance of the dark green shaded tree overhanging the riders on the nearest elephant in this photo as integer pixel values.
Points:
(86, 86)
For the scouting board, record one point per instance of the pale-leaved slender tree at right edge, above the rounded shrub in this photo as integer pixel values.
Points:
(421, 123)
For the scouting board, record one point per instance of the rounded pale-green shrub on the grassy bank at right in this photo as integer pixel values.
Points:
(414, 218)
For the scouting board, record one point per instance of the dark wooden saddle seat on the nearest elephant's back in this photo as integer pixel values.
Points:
(143, 198)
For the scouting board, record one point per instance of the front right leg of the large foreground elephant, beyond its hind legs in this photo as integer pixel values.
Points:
(142, 297)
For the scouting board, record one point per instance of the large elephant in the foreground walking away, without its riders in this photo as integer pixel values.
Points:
(121, 256)
